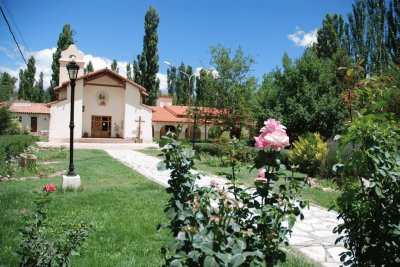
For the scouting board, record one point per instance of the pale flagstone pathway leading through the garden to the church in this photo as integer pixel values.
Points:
(312, 236)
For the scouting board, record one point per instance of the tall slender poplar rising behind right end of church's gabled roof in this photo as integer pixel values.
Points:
(148, 62)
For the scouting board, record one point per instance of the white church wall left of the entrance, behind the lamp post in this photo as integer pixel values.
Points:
(60, 115)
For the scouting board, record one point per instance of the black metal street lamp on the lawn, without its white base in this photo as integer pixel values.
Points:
(72, 68)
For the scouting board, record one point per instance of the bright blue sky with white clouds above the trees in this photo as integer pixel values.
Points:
(107, 30)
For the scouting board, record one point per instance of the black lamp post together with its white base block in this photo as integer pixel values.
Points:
(71, 179)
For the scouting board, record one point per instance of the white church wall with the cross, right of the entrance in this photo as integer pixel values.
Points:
(133, 109)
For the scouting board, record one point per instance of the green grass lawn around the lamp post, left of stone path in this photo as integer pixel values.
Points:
(123, 206)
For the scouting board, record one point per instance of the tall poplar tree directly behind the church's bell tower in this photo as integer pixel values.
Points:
(64, 40)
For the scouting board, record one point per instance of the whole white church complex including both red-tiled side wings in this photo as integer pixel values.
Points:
(108, 105)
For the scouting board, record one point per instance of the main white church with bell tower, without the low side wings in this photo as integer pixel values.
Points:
(106, 104)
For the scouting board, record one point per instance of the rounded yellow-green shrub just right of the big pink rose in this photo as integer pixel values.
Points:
(309, 153)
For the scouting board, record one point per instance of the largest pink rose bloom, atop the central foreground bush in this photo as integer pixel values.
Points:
(273, 135)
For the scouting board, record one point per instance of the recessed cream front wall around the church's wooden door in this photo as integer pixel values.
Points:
(114, 106)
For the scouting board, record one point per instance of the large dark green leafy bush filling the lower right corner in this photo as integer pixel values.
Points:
(370, 209)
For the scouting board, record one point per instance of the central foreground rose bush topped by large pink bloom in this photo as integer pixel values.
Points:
(229, 225)
